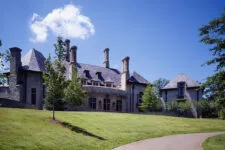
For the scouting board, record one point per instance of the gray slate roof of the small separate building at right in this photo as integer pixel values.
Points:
(181, 78)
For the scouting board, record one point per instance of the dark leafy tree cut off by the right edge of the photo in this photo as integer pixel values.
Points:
(213, 34)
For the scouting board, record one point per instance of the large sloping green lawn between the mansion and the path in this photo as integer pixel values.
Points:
(30, 129)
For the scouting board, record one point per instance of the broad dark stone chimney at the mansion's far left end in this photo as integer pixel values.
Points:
(15, 62)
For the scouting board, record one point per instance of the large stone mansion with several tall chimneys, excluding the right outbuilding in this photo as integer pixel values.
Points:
(108, 89)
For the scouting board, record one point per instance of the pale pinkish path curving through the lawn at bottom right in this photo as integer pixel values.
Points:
(172, 142)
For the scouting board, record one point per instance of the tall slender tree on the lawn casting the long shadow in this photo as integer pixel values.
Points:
(54, 79)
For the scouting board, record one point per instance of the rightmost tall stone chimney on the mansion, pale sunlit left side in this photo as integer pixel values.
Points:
(125, 74)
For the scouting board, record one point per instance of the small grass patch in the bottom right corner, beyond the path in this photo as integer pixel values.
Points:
(215, 142)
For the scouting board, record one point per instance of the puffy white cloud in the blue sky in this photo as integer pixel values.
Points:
(67, 22)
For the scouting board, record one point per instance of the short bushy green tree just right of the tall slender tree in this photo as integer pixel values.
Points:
(74, 94)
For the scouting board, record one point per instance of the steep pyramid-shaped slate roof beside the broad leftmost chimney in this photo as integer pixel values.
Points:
(34, 61)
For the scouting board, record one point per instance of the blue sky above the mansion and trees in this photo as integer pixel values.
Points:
(161, 37)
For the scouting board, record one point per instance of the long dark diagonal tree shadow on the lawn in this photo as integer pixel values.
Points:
(80, 130)
